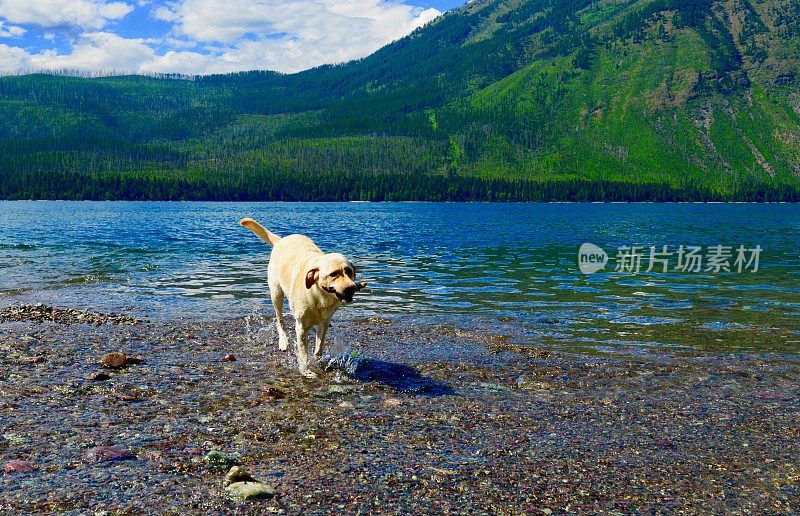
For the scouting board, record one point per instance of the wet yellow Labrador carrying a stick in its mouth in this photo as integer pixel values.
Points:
(316, 284)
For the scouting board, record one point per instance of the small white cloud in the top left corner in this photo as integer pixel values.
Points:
(85, 14)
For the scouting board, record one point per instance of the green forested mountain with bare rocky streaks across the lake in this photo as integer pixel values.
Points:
(498, 100)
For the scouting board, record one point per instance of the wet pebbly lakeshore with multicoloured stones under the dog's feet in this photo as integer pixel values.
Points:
(108, 413)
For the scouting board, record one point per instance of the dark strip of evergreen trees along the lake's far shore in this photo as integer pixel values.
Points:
(367, 187)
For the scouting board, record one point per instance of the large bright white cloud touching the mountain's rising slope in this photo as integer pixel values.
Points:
(293, 35)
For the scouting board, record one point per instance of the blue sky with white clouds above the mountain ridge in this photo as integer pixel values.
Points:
(201, 36)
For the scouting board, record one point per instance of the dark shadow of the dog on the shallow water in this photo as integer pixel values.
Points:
(400, 377)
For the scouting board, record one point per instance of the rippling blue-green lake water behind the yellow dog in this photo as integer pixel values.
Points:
(506, 268)
